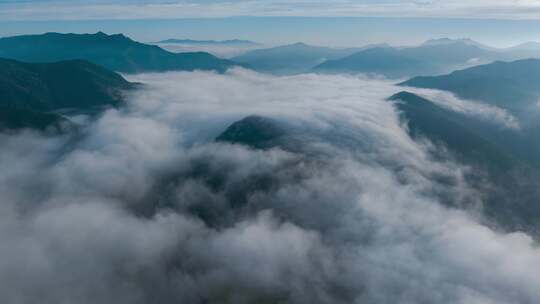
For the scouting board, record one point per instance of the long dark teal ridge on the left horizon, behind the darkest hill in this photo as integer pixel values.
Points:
(114, 52)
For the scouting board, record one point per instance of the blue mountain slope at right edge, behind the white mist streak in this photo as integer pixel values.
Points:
(511, 86)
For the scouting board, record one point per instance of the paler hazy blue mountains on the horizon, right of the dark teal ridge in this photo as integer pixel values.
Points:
(433, 57)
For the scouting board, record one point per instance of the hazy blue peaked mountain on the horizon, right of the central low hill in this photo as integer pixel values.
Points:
(431, 58)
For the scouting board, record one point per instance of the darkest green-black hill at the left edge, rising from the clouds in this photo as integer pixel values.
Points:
(31, 92)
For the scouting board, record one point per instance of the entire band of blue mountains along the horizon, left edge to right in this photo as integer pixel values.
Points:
(120, 53)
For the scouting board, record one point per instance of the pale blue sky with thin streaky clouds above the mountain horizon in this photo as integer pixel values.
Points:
(336, 23)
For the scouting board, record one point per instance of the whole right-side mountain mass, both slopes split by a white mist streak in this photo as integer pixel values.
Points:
(511, 158)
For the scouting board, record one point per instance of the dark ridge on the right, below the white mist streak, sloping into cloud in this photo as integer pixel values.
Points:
(502, 164)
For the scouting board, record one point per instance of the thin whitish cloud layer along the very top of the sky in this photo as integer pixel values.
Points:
(142, 9)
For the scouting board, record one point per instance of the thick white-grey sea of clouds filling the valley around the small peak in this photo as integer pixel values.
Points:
(142, 206)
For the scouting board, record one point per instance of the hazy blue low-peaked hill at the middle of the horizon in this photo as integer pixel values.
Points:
(290, 59)
